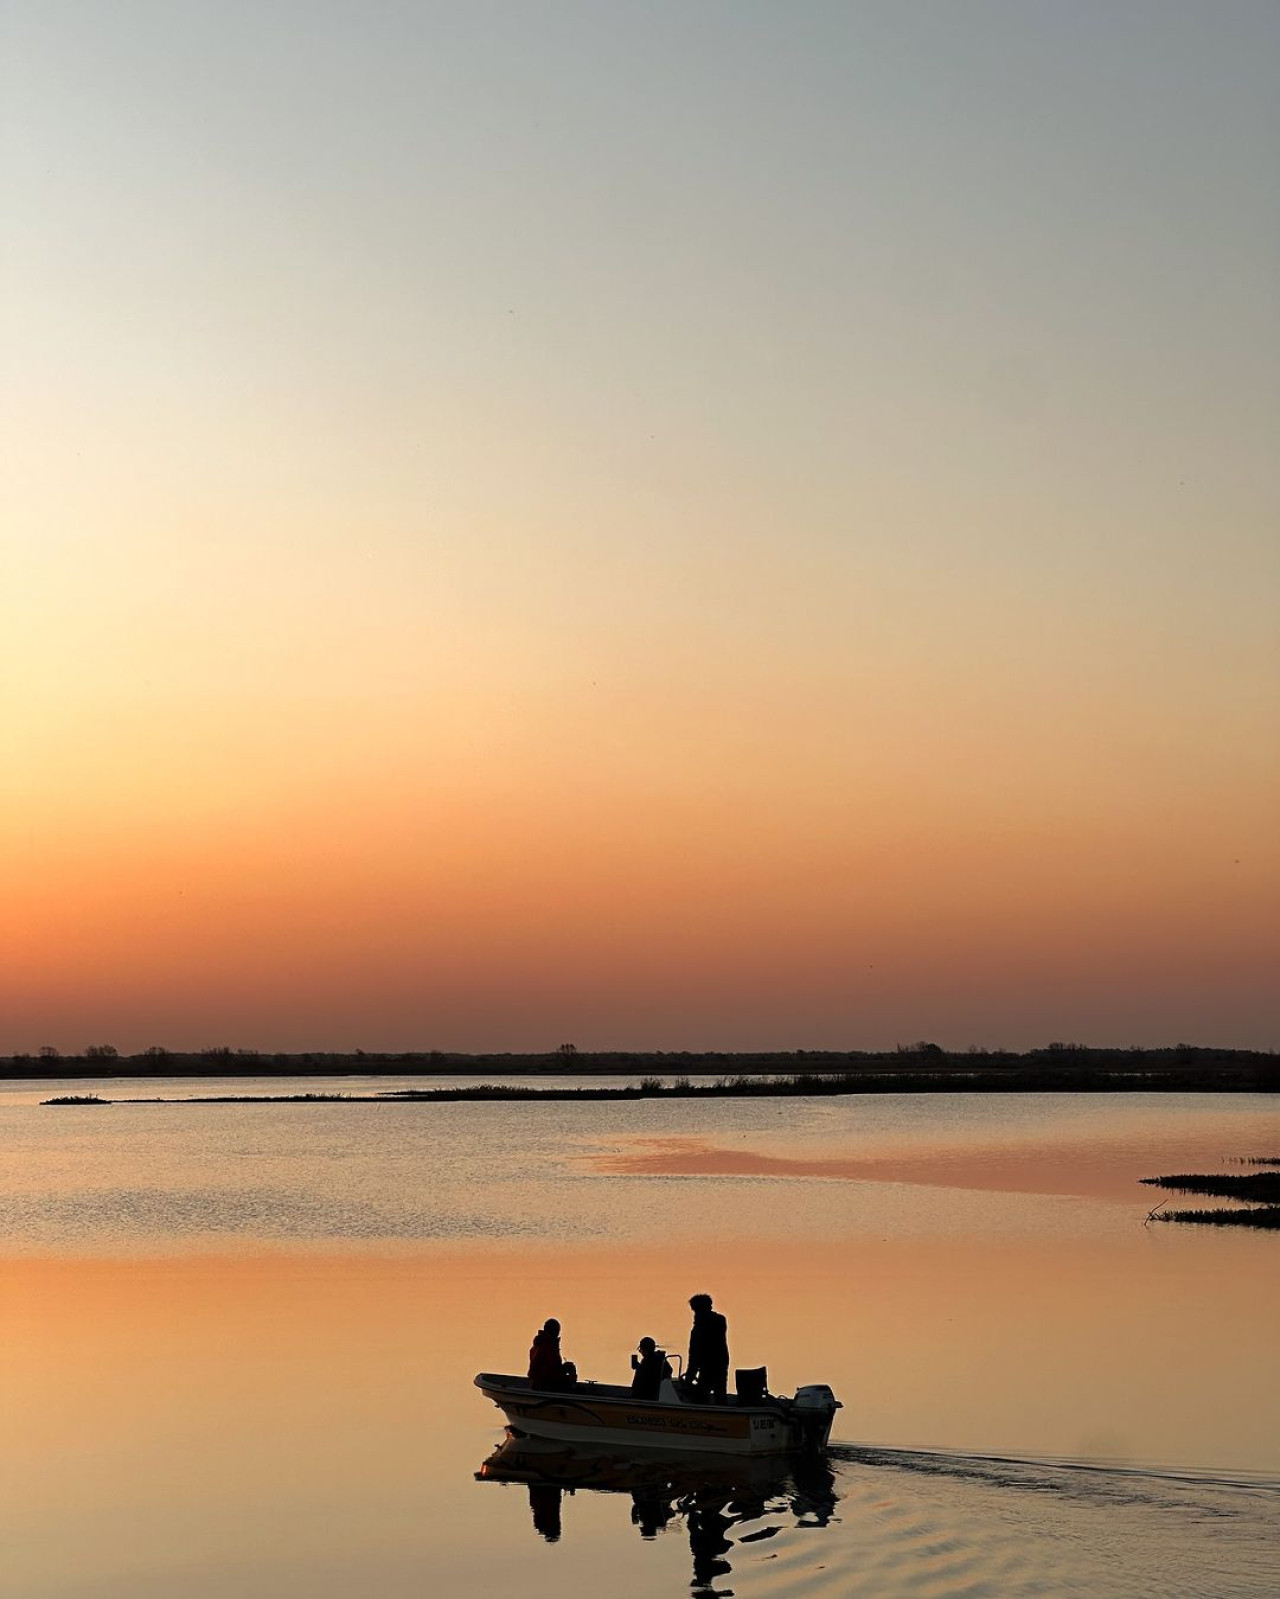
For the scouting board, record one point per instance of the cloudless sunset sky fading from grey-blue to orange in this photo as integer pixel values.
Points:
(650, 525)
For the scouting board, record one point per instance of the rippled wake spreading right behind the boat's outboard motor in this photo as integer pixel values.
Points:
(969, 1528)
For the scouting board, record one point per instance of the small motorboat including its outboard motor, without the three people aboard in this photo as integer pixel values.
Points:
(753, 1422)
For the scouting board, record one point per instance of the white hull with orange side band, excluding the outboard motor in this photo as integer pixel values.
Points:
(595, 1416)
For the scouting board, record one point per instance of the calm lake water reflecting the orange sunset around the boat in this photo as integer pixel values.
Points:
(239, 1344)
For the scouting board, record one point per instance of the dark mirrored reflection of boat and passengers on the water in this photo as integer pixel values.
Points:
(710, 1496)
